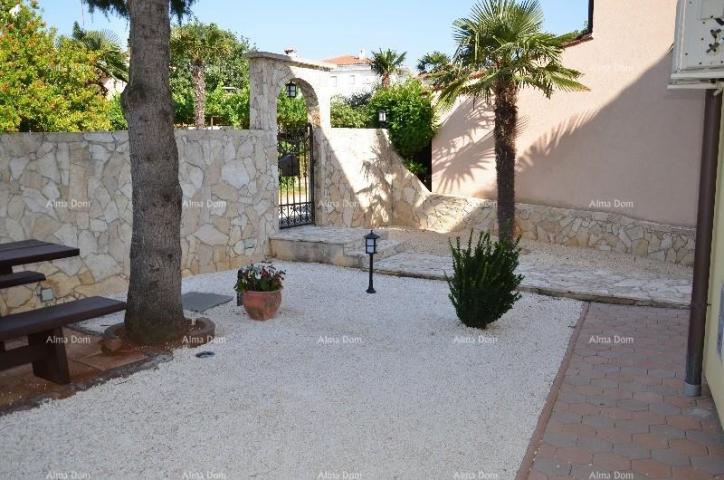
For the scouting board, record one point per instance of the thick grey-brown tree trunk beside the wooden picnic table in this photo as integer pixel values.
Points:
(154, 314)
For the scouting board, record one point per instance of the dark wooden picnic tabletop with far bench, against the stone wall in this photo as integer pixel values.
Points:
(28, 251)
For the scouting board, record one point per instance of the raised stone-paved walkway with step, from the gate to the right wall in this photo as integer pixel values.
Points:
(559, 271)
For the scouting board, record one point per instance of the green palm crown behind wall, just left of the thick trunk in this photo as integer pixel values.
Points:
(111, 59)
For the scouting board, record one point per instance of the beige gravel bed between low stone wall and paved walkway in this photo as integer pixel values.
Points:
(541, 255)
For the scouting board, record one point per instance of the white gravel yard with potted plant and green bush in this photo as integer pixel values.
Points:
(341, 385)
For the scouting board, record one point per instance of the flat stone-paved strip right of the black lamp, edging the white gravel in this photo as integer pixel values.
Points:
(599, 285)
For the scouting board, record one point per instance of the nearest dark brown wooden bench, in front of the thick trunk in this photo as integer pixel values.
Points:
(44, 330)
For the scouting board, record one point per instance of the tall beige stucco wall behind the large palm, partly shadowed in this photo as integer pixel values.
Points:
(628, 140)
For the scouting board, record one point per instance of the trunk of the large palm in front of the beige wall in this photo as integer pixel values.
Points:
(506, 120)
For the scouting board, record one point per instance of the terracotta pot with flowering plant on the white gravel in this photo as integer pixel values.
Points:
(259, 287)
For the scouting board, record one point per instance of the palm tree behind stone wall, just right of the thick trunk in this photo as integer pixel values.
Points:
(200, 45)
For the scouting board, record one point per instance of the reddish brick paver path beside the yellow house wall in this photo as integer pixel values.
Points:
(619, 413)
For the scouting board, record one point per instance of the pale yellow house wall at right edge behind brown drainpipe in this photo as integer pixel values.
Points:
(713, 363)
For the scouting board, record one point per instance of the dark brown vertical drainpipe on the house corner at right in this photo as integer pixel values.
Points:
(702, 255)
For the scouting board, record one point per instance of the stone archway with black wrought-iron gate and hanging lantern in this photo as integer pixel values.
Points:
(301, 154)
